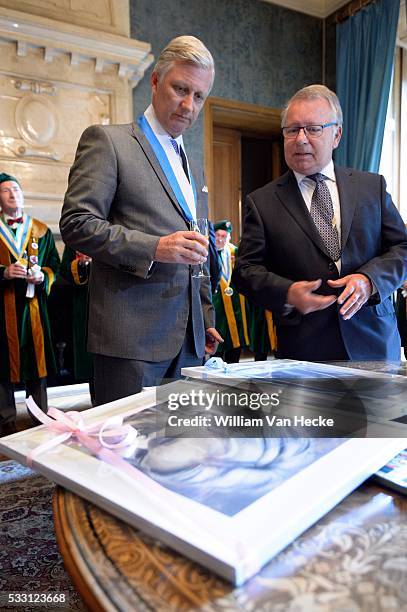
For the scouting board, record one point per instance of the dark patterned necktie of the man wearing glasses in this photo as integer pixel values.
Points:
(322, 213)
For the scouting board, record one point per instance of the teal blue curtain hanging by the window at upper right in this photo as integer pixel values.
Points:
(365, 46)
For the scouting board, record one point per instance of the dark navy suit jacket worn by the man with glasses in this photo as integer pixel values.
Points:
(280, 244)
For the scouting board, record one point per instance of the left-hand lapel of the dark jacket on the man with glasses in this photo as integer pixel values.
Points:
(288, 193)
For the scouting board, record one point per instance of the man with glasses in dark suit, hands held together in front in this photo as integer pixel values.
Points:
(323, 247)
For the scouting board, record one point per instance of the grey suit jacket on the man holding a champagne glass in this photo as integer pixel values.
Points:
(117, 206)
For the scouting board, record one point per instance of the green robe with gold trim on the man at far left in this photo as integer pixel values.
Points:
(26, 351)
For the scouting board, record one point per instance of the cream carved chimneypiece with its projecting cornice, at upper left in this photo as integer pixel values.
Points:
(56, 79)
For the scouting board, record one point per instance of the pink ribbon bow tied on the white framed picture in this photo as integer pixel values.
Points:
(106, 440)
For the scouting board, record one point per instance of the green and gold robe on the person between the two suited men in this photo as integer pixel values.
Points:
(230, 311)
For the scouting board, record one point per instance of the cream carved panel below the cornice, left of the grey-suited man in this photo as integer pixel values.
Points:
(40, 125)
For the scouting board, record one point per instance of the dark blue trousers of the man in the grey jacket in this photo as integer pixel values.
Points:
(116, 377)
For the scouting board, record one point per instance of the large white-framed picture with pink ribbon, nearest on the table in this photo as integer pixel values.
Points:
(230, 503)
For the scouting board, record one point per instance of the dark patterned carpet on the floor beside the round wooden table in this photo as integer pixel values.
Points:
(29, 557)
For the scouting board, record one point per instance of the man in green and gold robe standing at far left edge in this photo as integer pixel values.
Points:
(29, 263)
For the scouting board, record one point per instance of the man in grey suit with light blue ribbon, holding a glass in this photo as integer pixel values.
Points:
(131, 197)
